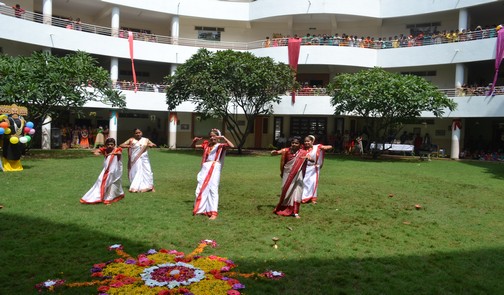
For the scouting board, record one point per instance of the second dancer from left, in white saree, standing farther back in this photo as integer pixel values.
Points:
(139, 169)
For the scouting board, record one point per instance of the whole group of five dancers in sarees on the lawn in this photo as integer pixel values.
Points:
(299, 169)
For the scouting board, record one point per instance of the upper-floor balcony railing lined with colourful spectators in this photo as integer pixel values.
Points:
(275, 42)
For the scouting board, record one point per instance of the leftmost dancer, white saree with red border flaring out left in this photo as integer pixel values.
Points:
(108, 186)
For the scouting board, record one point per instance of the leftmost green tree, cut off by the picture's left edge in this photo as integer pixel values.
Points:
(49, 85)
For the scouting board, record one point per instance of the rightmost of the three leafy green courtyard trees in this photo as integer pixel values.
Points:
(386, 100)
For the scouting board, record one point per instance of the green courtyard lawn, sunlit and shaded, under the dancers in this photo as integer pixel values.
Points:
(363, 237)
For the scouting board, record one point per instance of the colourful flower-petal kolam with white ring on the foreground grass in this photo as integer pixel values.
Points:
(163, 272)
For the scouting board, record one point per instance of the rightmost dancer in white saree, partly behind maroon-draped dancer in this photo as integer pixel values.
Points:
(311, 177)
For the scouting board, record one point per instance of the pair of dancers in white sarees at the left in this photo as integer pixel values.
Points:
(108, 187)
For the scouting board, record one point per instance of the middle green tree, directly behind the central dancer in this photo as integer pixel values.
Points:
(225, 83)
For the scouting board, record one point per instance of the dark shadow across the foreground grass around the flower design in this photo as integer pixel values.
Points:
(34, 250)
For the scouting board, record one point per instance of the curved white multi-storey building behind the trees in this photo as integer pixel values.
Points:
(451, 43)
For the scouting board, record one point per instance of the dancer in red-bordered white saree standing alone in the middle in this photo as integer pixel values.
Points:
(207, 191)
